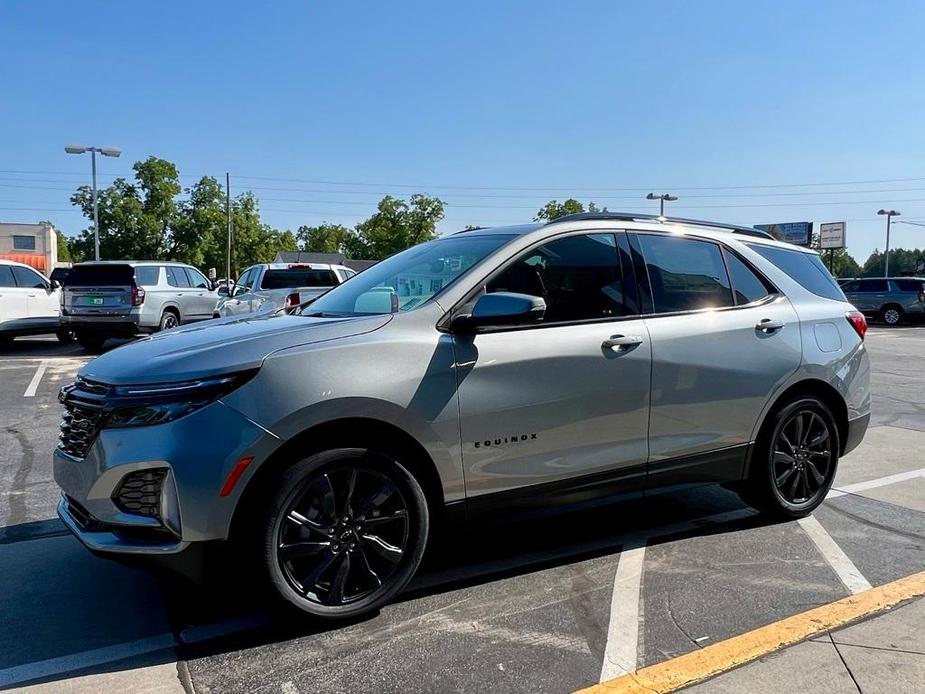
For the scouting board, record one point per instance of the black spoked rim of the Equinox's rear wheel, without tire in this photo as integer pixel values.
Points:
(802, 457)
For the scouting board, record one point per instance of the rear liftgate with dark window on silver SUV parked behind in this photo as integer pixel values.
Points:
(103, 289)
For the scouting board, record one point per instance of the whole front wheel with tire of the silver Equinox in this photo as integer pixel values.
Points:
(360, 533)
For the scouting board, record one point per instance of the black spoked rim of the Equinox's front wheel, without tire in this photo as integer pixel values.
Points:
(343, 536)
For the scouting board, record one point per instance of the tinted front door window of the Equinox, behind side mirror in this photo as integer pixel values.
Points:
(578, 276)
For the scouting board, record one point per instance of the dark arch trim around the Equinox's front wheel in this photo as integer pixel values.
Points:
(351, 432)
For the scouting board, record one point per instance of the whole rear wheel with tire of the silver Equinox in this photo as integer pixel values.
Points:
(790, 475)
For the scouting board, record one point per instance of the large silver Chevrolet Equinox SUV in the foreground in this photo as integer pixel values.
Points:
(499, 371)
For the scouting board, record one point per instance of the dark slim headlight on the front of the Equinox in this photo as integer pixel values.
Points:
(157, 403)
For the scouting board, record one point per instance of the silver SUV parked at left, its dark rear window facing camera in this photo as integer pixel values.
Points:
(108, 299)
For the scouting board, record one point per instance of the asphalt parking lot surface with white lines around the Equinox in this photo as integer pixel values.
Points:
(552, 605)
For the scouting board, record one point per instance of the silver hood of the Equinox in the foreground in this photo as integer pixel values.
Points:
(219, 346)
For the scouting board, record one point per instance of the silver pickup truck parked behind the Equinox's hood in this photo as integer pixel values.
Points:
(270, 286)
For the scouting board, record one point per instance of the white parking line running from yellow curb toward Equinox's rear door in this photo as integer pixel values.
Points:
(622, 648)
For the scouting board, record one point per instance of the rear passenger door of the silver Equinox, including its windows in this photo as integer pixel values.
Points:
(723, 340)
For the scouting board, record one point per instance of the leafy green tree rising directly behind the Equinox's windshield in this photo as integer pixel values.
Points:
(397, 225)
